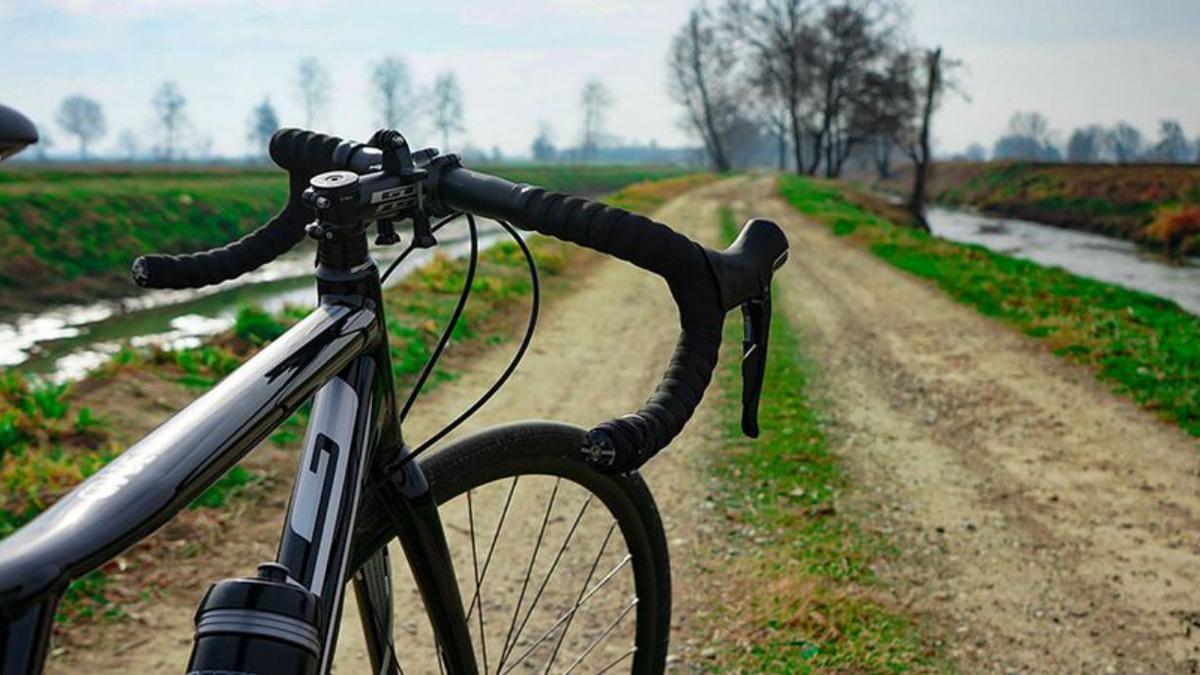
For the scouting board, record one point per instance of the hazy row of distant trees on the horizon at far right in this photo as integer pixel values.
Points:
(1029, 138)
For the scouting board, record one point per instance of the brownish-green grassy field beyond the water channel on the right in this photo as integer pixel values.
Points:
(1117, 201)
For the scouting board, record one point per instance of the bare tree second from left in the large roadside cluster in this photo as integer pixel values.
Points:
(775, 35)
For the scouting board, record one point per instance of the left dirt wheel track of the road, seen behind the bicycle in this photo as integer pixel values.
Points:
(598, 353)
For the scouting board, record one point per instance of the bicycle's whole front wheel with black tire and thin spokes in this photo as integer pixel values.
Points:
(561, 569)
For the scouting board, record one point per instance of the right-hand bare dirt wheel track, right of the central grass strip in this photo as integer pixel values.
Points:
(1049, 525)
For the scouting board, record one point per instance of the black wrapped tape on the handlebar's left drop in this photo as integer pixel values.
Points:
(304, 154)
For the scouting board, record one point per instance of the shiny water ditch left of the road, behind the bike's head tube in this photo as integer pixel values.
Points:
(65, 343)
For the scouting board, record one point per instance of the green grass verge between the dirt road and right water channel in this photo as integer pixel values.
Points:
(1147, 348)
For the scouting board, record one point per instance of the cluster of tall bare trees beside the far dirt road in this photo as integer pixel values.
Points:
(823, 81)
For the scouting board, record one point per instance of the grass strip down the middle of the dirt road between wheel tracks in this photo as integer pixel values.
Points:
(811, 602)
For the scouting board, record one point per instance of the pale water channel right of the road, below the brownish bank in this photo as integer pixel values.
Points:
(1114, 261)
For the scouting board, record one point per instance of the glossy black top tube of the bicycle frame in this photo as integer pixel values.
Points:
(161, 475)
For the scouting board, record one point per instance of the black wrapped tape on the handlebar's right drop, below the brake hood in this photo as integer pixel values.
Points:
(626, 443)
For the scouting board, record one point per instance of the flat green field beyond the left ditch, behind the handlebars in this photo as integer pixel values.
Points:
(70, 236)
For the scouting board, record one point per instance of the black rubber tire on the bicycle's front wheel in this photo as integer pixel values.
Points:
(553, 450)
